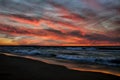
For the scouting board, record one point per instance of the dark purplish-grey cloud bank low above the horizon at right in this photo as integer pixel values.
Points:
(95, 37)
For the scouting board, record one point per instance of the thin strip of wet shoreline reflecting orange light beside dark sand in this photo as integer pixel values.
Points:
(68, 66)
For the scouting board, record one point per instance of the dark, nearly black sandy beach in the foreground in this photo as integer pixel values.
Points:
(17, 68)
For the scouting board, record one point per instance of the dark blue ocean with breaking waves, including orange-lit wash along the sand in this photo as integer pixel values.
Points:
(96, 59)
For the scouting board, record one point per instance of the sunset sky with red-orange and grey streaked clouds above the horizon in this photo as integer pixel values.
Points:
(60, 22)
